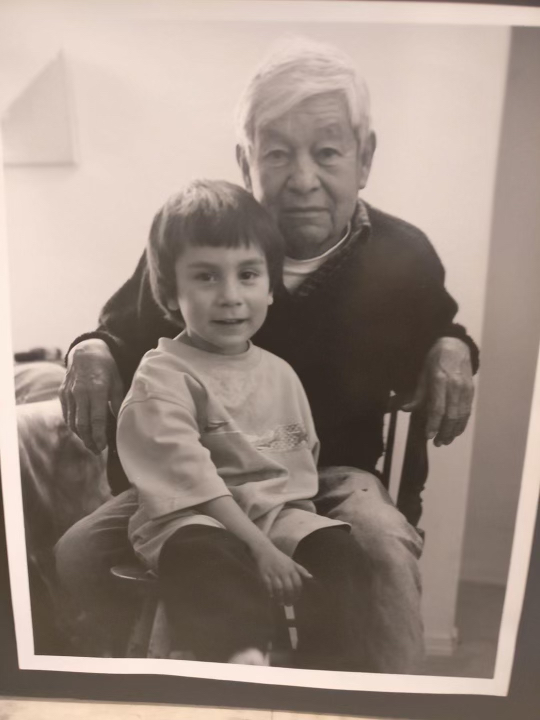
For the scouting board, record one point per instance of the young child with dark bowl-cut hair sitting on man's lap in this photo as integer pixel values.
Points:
(217, 436)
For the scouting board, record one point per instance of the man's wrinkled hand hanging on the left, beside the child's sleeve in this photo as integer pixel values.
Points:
(92, 382)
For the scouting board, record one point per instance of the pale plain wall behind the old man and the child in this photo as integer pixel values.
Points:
(153, 104)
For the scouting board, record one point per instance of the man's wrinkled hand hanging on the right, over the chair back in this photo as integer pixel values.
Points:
(445, 390)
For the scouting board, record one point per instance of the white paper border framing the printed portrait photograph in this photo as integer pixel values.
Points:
(394, 12)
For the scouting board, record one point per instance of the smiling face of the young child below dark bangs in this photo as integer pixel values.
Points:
(223, 295)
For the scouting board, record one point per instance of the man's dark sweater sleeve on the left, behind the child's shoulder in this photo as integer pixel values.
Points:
(131, 322)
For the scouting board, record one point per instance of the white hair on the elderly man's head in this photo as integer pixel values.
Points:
(297, 69)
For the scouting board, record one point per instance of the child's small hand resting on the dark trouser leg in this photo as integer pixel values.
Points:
(281, 575)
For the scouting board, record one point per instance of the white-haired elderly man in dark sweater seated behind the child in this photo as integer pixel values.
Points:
(362, 312)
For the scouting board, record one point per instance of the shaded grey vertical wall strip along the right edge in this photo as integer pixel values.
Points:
(512, 324)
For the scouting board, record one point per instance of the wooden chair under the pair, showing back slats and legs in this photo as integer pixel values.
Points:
(150, 636)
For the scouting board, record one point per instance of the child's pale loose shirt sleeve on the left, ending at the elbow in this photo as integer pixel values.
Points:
(160, 449)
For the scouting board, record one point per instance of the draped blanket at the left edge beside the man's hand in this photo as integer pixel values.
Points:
(61, 483)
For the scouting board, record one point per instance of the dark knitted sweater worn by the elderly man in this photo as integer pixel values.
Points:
(357, 329)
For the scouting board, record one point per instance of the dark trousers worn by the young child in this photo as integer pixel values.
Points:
(218, 605)
